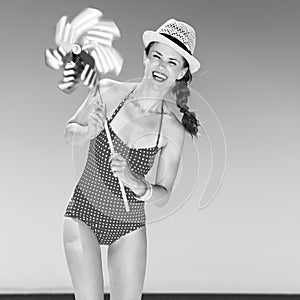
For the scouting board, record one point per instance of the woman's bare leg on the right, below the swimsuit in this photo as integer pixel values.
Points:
(126, 261)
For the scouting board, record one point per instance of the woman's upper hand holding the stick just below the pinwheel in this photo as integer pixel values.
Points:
(97, 115)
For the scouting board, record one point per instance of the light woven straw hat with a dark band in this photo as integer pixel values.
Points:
(178, 35)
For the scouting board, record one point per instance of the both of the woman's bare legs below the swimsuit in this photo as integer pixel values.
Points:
(126, 261)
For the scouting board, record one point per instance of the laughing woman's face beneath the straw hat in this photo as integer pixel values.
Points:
(163, 66)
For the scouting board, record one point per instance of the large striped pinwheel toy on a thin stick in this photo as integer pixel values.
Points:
(84, 52)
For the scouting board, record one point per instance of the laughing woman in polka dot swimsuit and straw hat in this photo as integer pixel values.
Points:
(141, 130)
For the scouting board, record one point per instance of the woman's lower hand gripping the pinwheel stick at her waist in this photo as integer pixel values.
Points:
(121, 169)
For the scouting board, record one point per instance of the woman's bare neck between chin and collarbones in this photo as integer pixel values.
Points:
(147, 98)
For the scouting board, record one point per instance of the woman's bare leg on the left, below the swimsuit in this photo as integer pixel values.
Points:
(84, 261)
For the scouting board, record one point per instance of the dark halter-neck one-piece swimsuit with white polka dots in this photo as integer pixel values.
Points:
(97, 198)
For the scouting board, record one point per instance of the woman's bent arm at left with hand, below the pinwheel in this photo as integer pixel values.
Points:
(87, 122)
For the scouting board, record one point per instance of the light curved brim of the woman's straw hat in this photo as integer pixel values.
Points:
(153, 36)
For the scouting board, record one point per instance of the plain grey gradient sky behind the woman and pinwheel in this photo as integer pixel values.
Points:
(245, 239)
